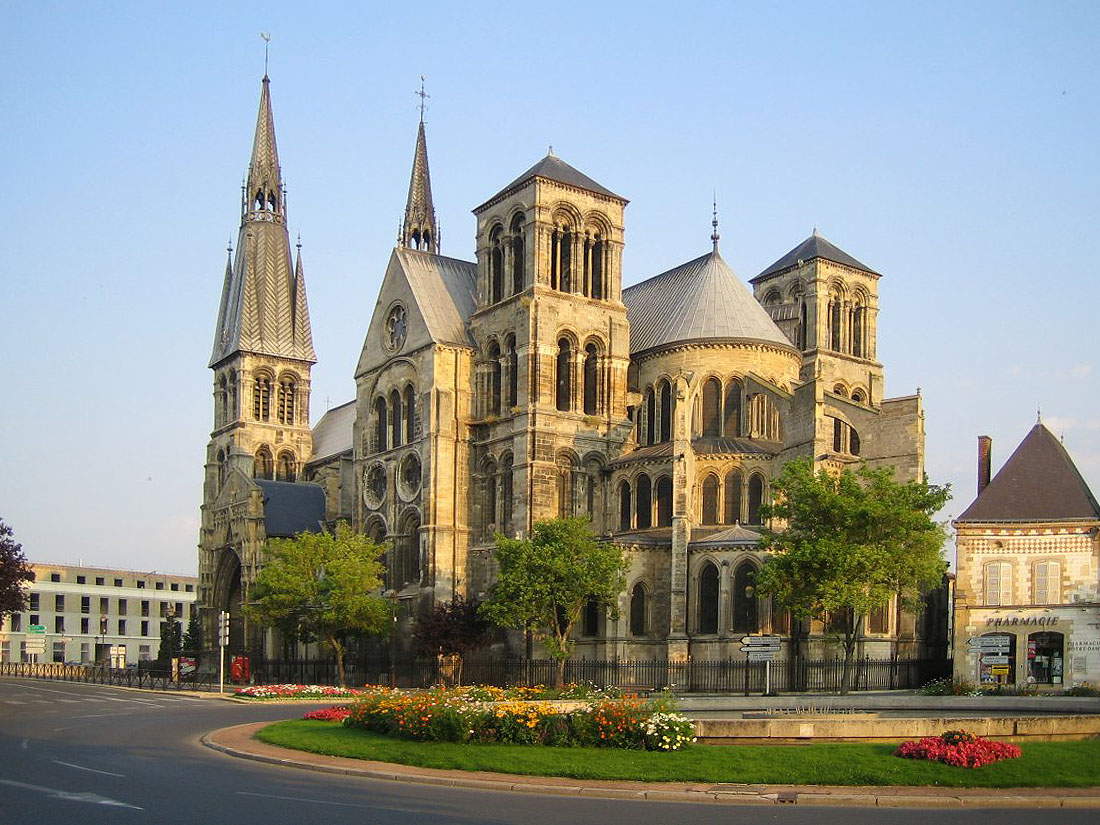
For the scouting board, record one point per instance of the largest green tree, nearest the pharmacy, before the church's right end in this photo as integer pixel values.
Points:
(850, 543)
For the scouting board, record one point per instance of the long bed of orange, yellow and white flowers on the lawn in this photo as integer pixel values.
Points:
(485, 716)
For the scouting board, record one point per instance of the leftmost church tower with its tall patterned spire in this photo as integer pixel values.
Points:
(263, 354)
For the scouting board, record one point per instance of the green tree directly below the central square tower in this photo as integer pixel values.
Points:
(545, 582)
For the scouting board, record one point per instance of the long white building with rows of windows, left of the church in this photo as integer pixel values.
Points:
(82, 613)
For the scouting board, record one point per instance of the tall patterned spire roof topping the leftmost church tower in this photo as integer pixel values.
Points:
(263, 304)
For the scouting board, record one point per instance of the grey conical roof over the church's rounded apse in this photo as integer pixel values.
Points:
(701, 300)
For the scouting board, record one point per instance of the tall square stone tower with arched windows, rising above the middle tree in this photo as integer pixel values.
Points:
(552, 350)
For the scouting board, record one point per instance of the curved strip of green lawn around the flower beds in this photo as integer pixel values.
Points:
(1043, 764)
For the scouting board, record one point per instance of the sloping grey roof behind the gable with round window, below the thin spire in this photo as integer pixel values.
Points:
(446, 292)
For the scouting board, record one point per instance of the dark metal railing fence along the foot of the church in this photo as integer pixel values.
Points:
(796, 676)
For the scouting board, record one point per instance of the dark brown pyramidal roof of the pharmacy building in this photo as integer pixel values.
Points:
(1039, 483)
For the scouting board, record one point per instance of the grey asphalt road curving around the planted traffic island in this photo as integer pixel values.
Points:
(73, 753)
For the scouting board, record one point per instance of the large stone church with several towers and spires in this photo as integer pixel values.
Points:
(531, 384)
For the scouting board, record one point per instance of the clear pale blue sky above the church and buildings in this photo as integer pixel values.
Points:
(952, 147)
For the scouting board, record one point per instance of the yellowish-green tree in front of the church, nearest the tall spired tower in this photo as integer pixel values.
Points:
(322, 587)
